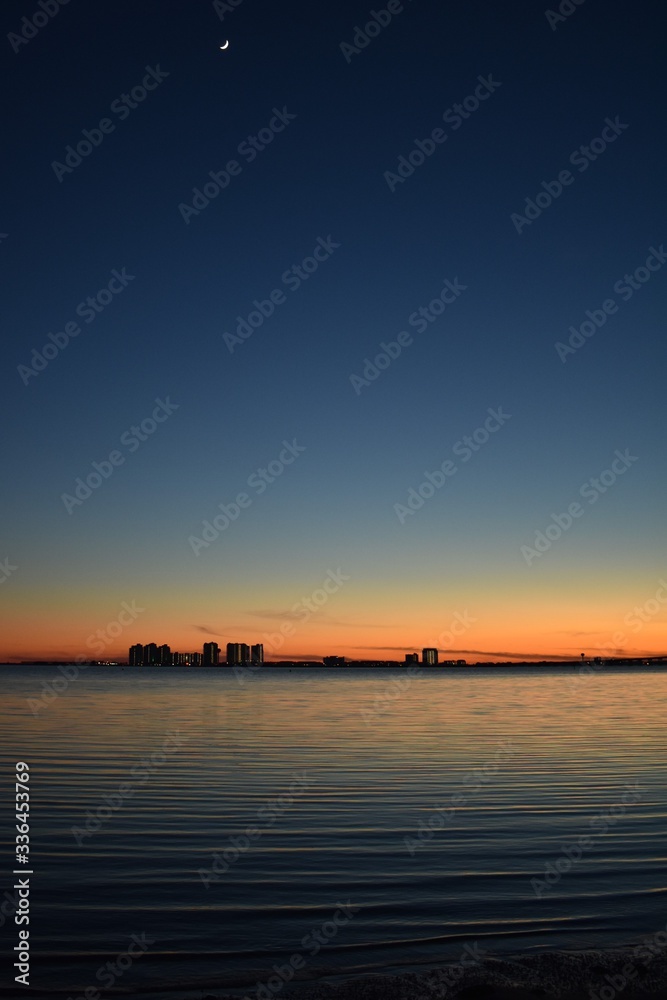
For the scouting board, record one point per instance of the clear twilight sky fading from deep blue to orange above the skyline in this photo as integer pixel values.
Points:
(459, 557)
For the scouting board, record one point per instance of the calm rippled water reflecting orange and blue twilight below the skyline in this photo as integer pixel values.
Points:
(558, 752)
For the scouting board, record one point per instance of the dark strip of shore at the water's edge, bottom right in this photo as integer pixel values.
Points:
(628, 973)
